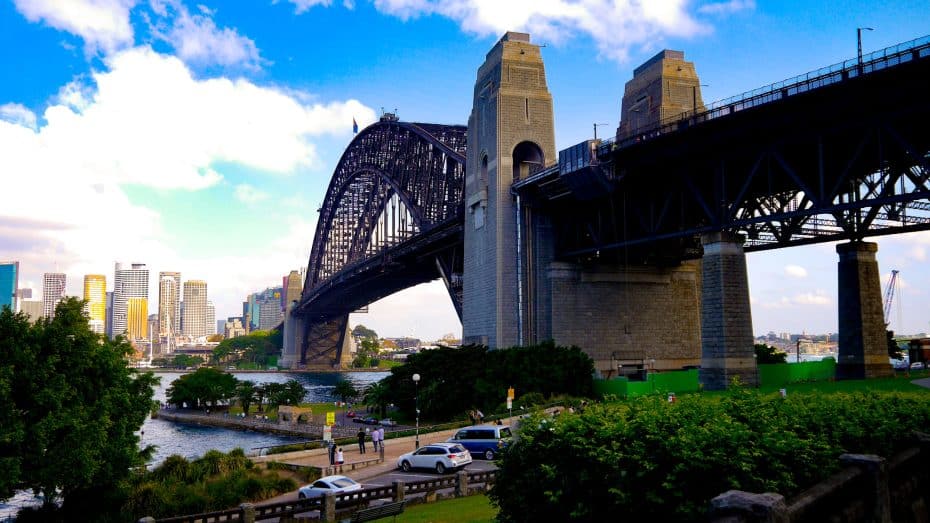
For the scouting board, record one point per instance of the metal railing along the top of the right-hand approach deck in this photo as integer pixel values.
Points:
(875, 61)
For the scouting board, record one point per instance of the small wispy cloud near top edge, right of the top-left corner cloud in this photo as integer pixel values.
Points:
(197, 40)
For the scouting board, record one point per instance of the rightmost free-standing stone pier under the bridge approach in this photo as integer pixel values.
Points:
(863, 347)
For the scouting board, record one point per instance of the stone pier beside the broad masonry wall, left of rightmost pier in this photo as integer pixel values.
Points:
(726, 319)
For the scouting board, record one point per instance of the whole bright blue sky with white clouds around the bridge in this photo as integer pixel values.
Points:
(200, 137)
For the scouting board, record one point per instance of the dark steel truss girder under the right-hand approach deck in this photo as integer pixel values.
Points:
(783, 174)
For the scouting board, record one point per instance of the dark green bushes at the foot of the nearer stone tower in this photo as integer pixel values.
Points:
(453, 381)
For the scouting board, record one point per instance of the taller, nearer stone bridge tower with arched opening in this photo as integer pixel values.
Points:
(510, 135)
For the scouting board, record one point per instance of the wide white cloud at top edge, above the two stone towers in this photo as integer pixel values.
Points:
(616, 26)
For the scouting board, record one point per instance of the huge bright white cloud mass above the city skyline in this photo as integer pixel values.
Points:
(146, 121)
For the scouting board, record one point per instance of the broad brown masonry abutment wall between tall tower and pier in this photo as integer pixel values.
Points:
(628, 319)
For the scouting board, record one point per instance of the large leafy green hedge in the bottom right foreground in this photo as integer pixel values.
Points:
(650, 460)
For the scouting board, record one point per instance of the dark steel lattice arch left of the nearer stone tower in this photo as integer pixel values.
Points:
(395, 182)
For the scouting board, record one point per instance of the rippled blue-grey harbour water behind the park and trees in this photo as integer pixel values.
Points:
(192, 441)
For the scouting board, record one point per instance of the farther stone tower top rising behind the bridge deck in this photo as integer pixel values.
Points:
(665, 86)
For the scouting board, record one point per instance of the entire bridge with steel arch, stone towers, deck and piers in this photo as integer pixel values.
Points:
(632, 248)
